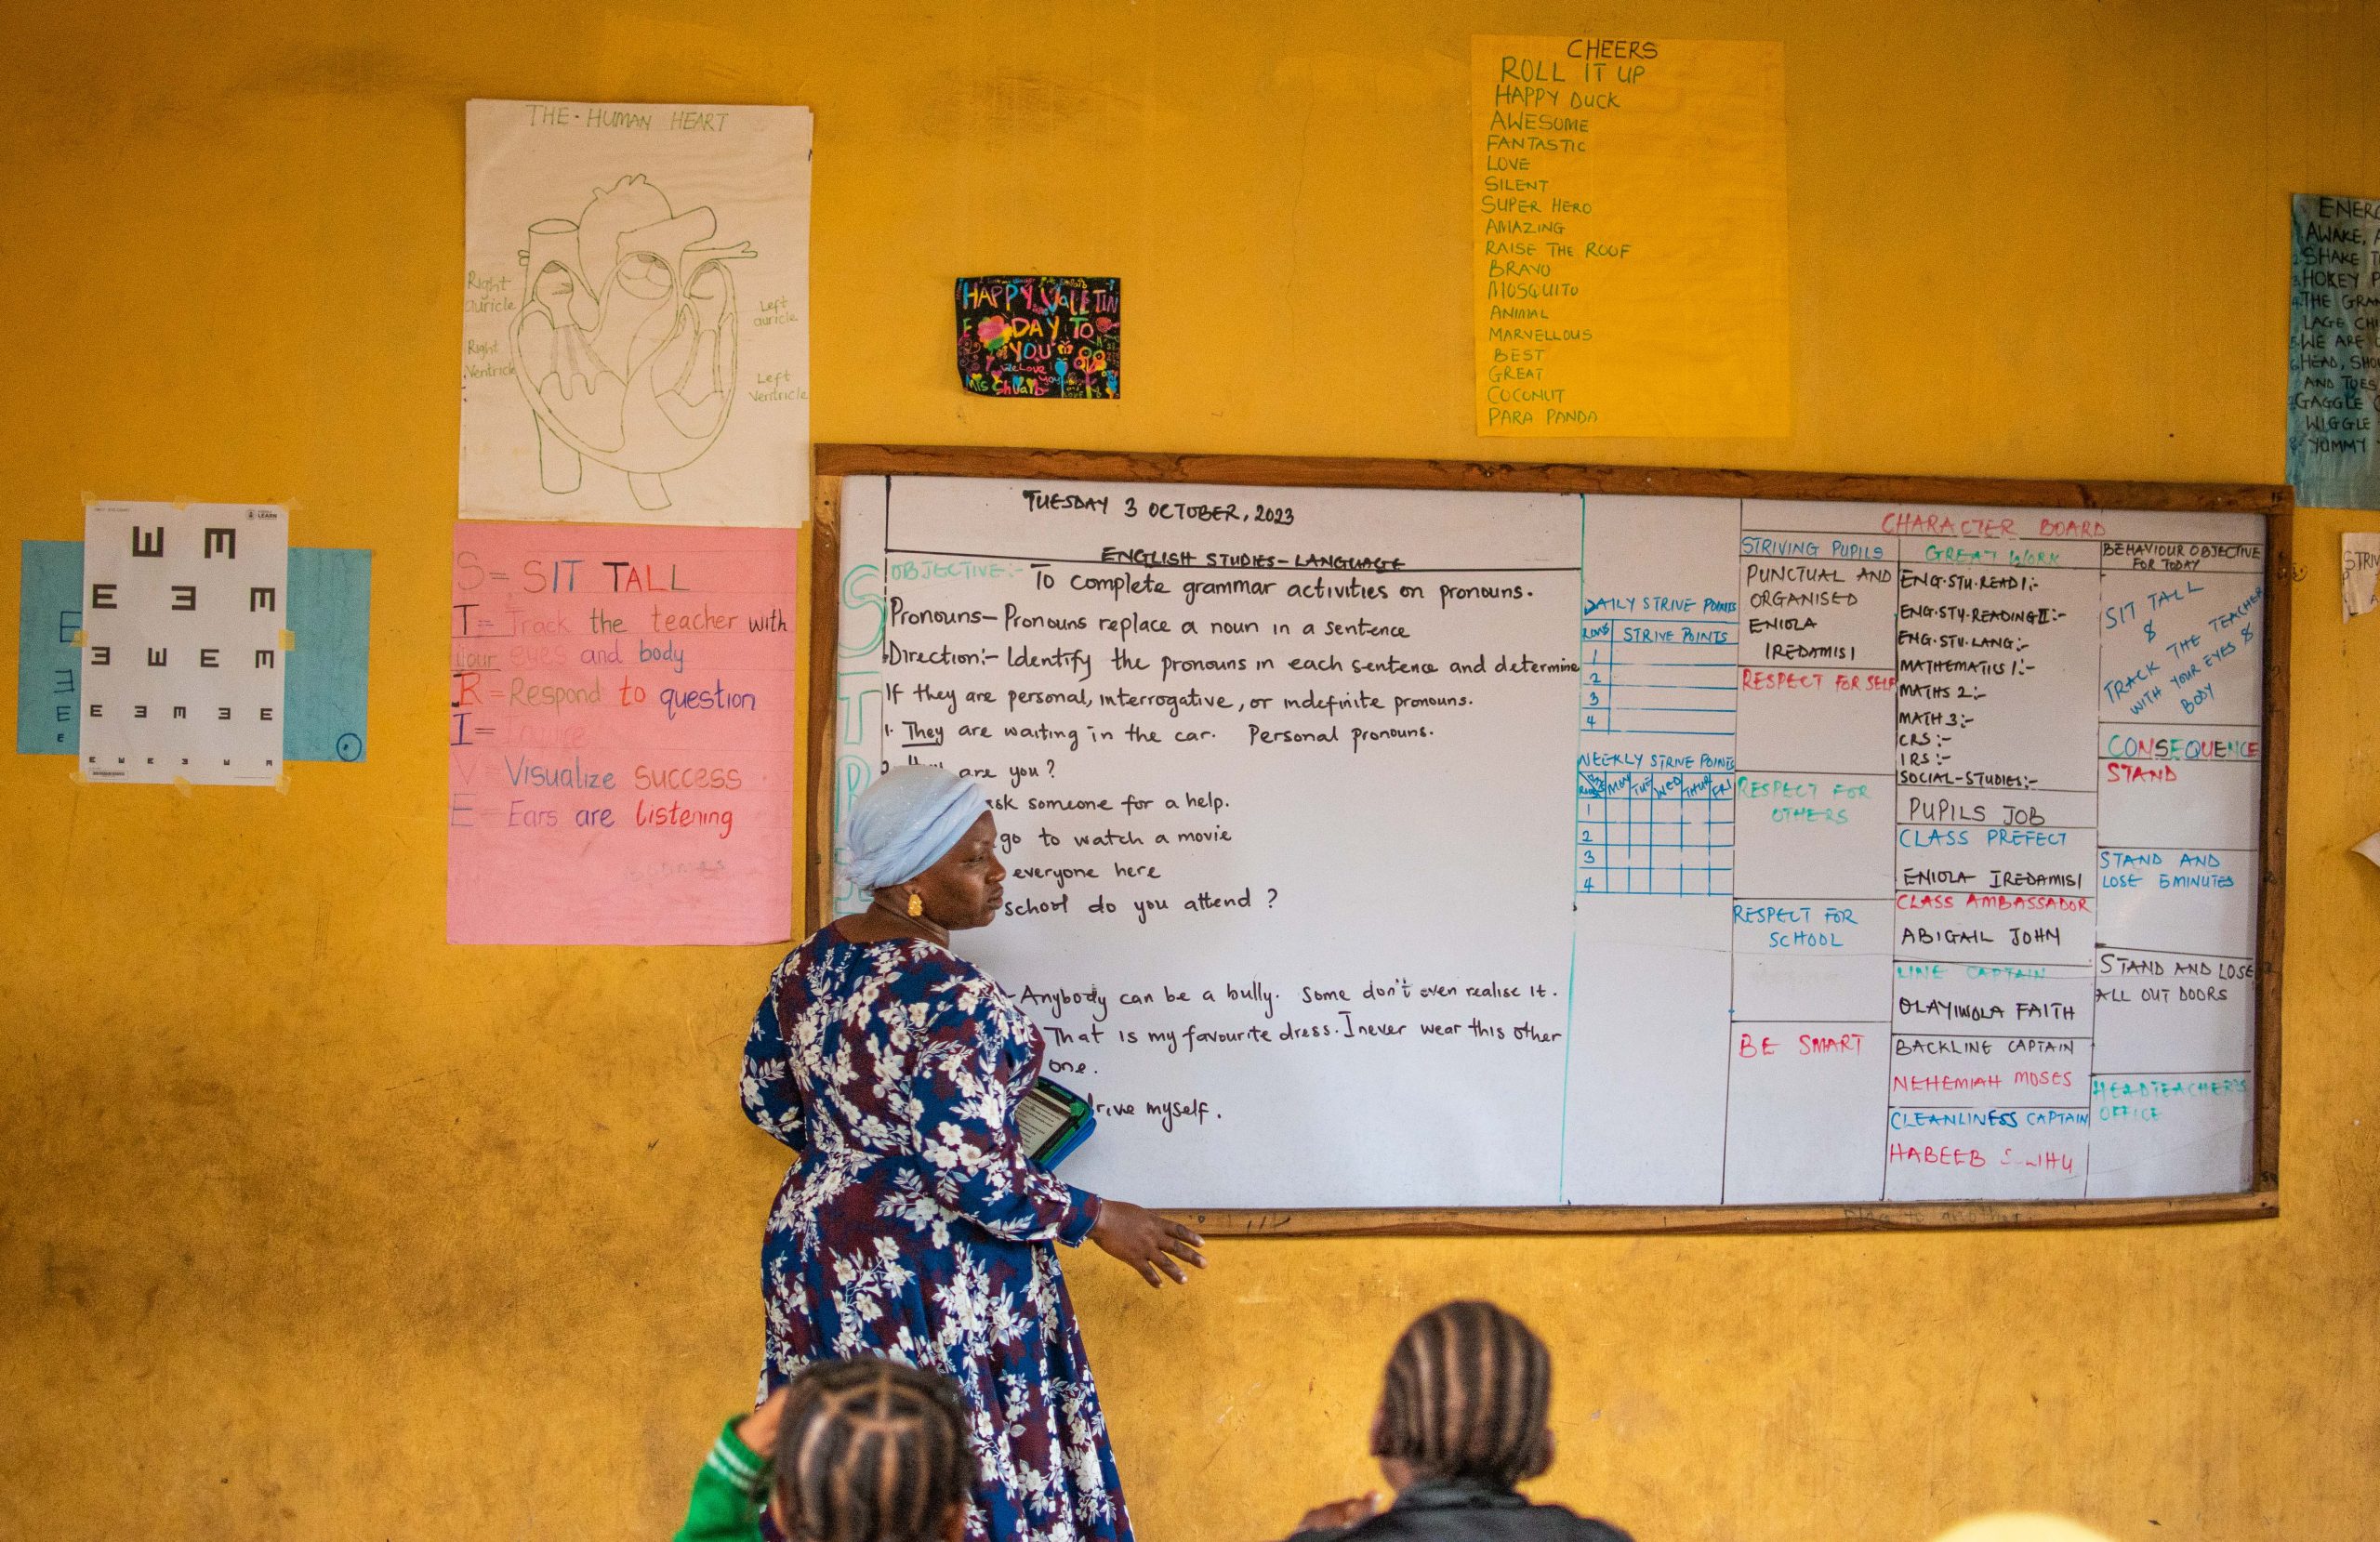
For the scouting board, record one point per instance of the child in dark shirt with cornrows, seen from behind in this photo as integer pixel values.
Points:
(1460, 1427)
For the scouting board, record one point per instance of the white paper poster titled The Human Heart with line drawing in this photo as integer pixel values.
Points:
(637, 315)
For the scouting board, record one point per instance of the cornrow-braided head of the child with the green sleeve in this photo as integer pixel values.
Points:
(872, 1450)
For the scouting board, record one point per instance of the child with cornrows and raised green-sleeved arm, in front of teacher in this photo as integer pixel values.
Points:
(860, 1450)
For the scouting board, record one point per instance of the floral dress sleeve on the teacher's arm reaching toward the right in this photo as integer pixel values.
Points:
(967, 1132)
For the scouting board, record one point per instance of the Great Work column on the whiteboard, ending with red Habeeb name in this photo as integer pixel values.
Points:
(1996, 858)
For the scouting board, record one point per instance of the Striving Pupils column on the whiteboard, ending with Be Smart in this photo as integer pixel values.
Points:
(1812, 1003)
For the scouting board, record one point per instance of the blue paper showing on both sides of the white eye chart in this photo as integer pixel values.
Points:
(327, 672)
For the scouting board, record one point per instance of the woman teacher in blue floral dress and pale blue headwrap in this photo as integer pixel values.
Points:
(915, 1224)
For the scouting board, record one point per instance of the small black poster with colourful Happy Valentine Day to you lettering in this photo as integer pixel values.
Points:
(1041, 337)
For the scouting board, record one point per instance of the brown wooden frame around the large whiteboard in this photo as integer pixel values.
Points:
(2274, 503)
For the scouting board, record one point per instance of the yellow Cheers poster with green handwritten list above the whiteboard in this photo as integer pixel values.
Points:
(1629, 237)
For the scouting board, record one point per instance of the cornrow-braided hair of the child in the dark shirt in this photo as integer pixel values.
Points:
(1465, 1396)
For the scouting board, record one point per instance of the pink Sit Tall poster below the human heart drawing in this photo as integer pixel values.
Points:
(620, 736)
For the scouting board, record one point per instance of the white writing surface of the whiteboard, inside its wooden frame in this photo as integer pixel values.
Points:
(1424, 848)
